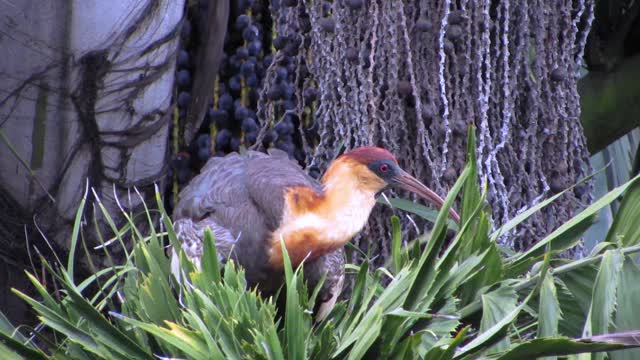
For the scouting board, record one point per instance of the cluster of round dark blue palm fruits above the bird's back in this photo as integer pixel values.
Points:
(258, 100)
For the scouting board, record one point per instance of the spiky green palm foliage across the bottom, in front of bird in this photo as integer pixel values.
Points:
(451, 294)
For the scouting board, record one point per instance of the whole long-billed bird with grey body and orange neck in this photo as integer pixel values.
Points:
(255, 202)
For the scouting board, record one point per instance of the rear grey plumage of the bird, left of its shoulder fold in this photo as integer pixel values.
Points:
(219, 196)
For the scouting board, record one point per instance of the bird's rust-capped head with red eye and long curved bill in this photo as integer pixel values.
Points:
(375, 168)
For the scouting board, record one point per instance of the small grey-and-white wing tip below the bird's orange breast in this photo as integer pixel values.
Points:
(333, 265)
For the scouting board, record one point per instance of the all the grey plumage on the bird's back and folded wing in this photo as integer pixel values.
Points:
(241, 198)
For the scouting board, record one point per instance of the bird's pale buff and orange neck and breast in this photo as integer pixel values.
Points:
(315, 224)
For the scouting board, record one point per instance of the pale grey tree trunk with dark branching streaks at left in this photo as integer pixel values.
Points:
(86, 102)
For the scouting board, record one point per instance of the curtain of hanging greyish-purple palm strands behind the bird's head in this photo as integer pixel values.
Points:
(425, 70)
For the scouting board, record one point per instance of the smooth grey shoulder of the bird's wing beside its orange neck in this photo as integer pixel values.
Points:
(270, 178)
